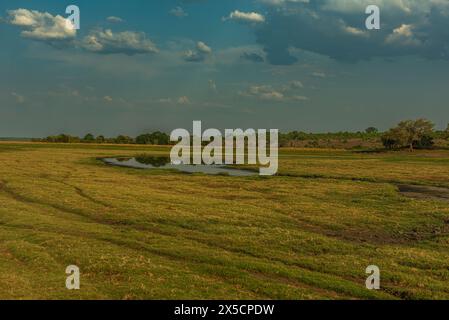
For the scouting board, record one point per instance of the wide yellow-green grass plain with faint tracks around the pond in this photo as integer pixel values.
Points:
(151, 234)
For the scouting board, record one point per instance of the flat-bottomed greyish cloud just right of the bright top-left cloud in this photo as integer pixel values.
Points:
(127, 42)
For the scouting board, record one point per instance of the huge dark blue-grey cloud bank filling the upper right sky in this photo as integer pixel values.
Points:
(336, 29)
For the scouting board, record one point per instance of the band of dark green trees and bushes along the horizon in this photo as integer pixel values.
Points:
(407, 134)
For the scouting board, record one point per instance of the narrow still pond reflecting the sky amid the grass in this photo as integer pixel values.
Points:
(149, 162)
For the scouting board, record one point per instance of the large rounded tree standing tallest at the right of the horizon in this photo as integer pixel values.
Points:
(411, 134)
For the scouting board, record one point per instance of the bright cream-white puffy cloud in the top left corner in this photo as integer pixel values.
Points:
(42, 26)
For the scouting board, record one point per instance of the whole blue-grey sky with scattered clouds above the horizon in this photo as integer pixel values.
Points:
(139, 66)
